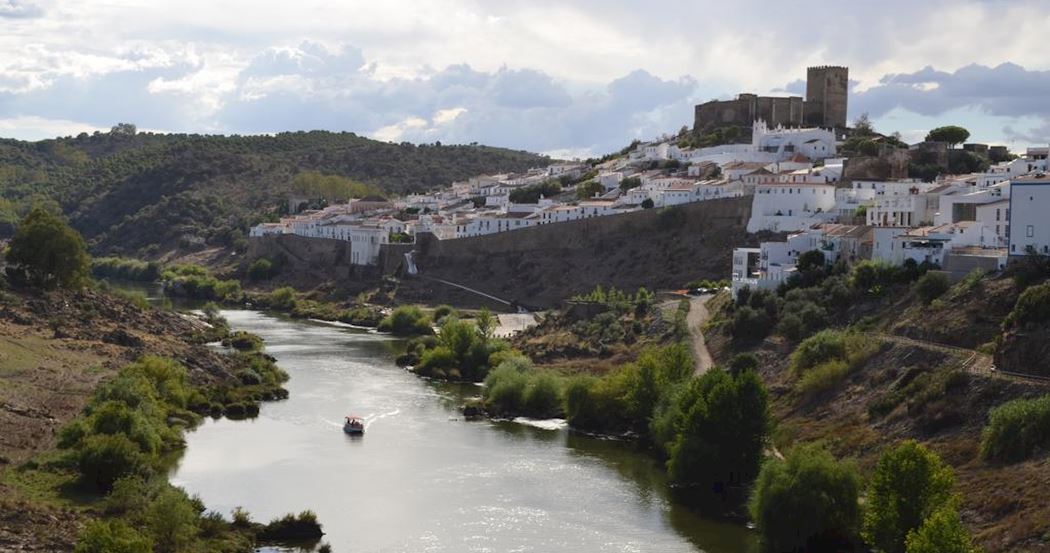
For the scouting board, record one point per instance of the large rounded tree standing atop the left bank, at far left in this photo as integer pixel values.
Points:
(49, 253)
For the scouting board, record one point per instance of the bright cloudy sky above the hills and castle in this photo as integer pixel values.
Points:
(571, 78)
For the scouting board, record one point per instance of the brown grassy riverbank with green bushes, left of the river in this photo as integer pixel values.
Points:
(57, 351)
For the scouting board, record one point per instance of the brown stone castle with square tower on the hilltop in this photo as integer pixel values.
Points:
(827, 92)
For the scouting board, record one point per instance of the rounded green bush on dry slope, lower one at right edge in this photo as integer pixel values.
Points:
(1017, 430)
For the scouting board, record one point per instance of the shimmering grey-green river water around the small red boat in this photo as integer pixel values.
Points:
(423, 479)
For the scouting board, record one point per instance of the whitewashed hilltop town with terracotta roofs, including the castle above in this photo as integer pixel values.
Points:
(824, 186)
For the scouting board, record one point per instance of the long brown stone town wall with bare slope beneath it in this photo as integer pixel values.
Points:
(541, 266)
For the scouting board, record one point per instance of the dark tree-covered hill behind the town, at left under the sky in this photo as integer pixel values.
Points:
(150, 195)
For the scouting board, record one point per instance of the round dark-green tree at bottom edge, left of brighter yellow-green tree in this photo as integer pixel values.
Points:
(807, 502)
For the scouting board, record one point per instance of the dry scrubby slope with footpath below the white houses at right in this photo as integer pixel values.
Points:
(909, 368)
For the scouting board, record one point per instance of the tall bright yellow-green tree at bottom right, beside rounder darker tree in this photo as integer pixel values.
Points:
(909, 485)
